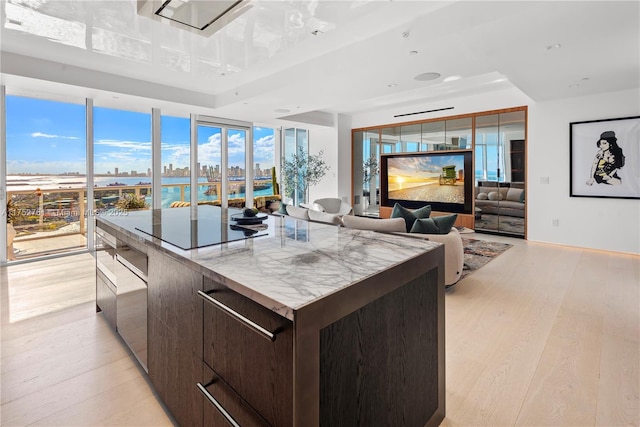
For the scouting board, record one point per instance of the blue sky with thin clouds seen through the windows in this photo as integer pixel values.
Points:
(48, 137)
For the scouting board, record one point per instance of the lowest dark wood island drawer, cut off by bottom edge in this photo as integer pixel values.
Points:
(222, 404)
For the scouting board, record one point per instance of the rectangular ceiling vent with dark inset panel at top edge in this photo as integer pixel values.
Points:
(204, 17)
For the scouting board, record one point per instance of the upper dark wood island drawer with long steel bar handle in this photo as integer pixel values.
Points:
(257, 368)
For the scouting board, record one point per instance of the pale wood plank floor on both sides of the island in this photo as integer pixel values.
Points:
(542, 335)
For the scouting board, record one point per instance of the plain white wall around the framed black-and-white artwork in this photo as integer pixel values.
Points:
(598, 223)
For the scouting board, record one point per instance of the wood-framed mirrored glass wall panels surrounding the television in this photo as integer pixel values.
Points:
(496, 139)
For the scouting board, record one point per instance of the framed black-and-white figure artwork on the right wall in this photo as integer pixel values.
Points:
(605, 158)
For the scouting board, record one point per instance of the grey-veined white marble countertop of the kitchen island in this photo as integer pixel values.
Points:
(293, 264)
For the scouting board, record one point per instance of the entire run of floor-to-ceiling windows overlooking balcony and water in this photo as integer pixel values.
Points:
(47, 165)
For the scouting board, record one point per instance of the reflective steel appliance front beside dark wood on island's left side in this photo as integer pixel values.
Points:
(131, 301)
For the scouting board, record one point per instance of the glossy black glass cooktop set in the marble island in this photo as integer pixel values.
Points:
(207, 226)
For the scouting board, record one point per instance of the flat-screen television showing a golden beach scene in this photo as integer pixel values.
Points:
(442, 179)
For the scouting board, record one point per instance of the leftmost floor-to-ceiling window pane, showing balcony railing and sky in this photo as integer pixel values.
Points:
(45, 167)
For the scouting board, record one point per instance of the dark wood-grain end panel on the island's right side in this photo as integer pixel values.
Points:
(381, 365)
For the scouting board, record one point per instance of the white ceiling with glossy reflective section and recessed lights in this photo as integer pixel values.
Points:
(363, 57)
